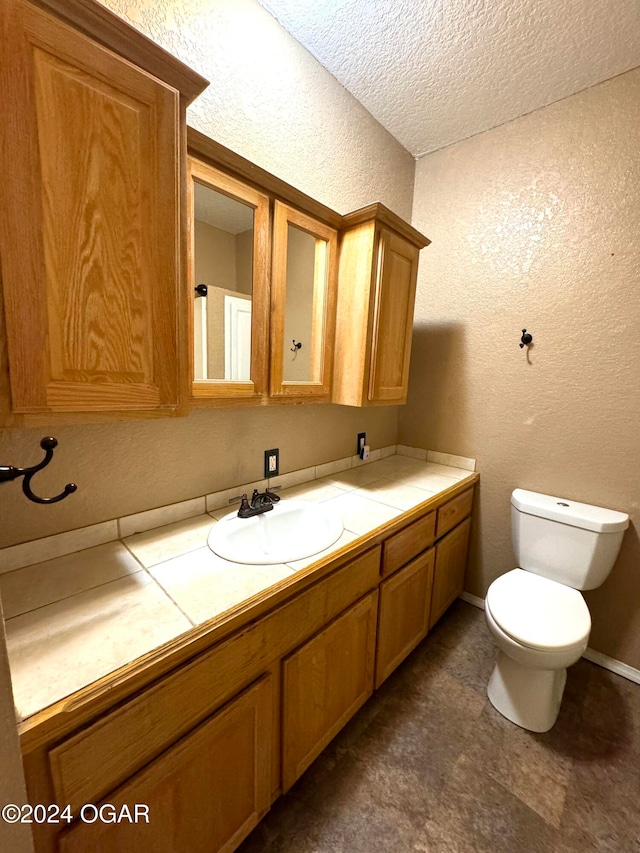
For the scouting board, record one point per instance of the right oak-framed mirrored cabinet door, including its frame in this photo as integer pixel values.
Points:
(302, 304)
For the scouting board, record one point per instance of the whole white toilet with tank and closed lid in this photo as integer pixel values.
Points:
(538, 618)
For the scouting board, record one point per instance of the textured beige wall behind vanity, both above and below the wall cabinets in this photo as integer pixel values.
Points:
(270, 101)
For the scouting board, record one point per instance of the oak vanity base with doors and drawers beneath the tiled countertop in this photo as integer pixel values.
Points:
(210, 728)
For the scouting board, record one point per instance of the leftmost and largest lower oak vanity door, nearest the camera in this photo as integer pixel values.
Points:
(204, 795)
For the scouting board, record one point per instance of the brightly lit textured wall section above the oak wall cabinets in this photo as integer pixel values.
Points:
(272, 102)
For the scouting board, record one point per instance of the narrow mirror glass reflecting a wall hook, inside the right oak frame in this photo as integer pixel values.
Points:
(304, 306)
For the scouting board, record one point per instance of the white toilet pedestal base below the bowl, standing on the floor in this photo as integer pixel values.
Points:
(528, 697)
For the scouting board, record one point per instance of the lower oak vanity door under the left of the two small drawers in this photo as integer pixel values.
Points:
(403, 620)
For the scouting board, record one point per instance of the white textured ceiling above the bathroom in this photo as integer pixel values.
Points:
(436, 71)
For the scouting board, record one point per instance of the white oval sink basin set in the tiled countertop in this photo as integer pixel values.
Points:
(290, 531)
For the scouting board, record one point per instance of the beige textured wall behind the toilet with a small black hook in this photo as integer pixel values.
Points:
(535, 224)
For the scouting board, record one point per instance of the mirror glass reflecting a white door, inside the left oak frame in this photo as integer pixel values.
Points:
(223, 272)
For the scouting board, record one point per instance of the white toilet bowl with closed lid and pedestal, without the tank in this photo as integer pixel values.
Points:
(552, 625)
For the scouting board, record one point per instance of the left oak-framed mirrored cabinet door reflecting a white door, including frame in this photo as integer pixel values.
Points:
(229, 287)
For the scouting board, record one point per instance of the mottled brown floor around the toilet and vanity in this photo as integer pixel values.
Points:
(429, 766)
